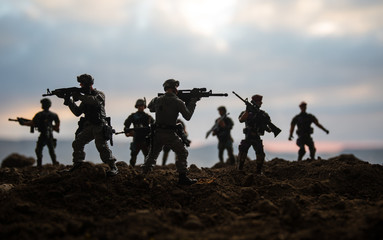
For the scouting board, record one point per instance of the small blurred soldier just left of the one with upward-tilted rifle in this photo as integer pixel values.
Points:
(221, 129)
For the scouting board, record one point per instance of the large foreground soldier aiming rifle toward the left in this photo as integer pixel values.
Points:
(93, 126)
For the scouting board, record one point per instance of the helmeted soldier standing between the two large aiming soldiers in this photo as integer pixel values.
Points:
(141, 122)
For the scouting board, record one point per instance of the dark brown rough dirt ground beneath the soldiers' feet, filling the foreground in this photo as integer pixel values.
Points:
(341, 198)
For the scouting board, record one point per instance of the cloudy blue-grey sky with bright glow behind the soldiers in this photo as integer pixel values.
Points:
(327, 53)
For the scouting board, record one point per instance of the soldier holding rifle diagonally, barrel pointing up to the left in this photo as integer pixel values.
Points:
(257, 122)
